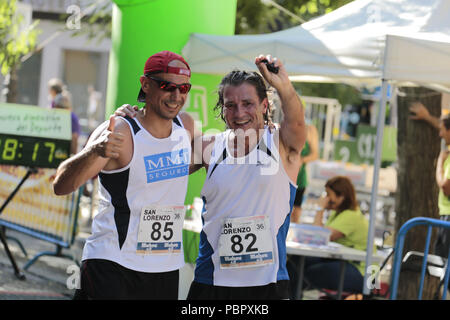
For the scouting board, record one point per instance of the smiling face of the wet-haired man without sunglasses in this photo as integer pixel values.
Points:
(242, 107)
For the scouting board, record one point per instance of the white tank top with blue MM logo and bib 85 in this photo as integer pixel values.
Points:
(157, 175)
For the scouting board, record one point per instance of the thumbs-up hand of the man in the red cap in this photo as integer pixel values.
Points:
(109, 143)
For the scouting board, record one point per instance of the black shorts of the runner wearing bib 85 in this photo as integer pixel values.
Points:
(104, 279)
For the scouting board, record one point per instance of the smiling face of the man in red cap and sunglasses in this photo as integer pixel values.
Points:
(164, 103)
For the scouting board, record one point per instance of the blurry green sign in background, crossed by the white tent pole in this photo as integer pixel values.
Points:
(362, 149)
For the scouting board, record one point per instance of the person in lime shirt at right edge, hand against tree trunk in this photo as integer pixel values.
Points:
(420, 112)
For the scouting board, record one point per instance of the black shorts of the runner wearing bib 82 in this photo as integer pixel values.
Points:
(271, 291)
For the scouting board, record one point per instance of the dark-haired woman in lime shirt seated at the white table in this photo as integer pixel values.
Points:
(348, 227)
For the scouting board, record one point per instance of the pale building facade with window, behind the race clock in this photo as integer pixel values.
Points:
(81, 63)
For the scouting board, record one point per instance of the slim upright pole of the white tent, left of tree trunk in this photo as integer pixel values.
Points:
(367, 286)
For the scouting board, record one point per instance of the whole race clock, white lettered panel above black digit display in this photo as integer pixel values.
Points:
(34, 137)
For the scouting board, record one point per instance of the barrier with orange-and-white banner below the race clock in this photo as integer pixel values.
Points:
(37, 211)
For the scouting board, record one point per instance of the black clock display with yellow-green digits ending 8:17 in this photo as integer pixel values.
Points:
(33, 151)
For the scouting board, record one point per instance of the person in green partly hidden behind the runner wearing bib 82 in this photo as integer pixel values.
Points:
(310, 152)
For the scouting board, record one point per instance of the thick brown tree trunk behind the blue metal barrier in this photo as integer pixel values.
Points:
(418, 147)
